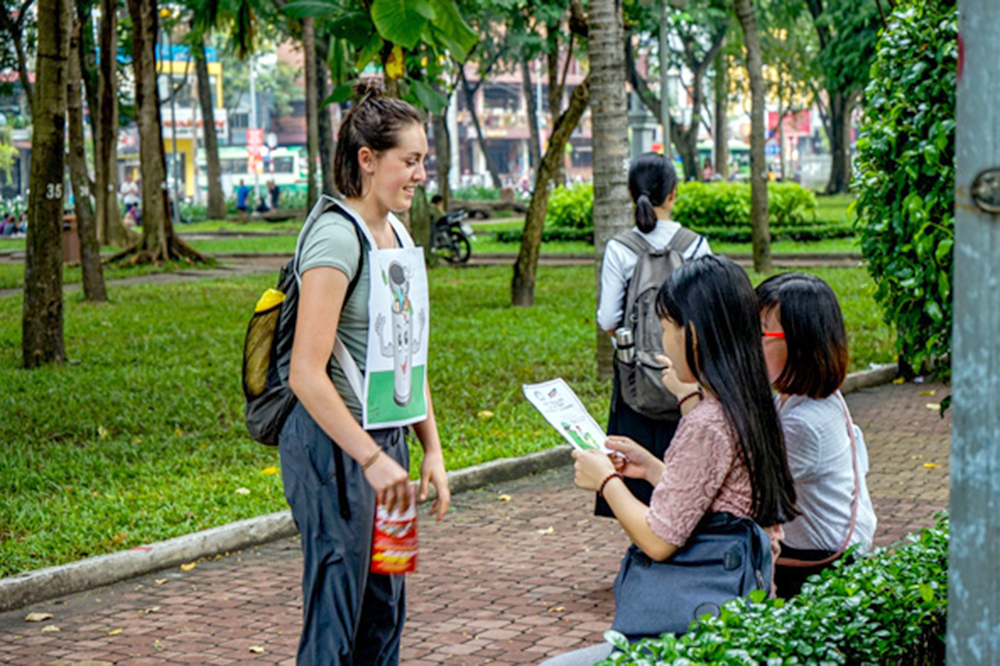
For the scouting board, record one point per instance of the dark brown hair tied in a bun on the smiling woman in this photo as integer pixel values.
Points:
(374, 122)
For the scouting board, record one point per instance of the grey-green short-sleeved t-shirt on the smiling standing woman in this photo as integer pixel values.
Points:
(333, 241)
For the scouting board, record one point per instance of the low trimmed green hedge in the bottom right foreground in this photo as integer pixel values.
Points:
(888, 608)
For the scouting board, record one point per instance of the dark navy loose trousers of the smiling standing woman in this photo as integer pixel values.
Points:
(351, 617)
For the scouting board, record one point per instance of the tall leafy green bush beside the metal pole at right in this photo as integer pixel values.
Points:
(905, 176)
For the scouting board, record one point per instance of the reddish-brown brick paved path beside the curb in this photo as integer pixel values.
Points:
(502, 581)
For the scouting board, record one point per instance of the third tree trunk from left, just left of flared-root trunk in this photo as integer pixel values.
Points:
(110, 229)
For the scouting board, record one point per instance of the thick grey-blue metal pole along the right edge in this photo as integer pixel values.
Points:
(974, 550)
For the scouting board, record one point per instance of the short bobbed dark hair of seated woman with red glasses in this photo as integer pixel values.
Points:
(814, 333)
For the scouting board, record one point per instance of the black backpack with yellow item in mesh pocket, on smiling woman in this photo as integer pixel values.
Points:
(267, 350)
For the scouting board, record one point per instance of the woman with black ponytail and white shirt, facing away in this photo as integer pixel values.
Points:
(652, 183)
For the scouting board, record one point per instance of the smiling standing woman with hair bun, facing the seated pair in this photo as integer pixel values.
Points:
(334, 469)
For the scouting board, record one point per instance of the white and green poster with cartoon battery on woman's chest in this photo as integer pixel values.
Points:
(396, 363)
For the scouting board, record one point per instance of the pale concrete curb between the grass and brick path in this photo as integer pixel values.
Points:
(51, 582)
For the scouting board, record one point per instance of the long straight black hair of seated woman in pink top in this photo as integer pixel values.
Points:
(713, 299)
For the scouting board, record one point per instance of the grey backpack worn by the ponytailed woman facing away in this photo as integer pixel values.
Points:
(640, 382)
